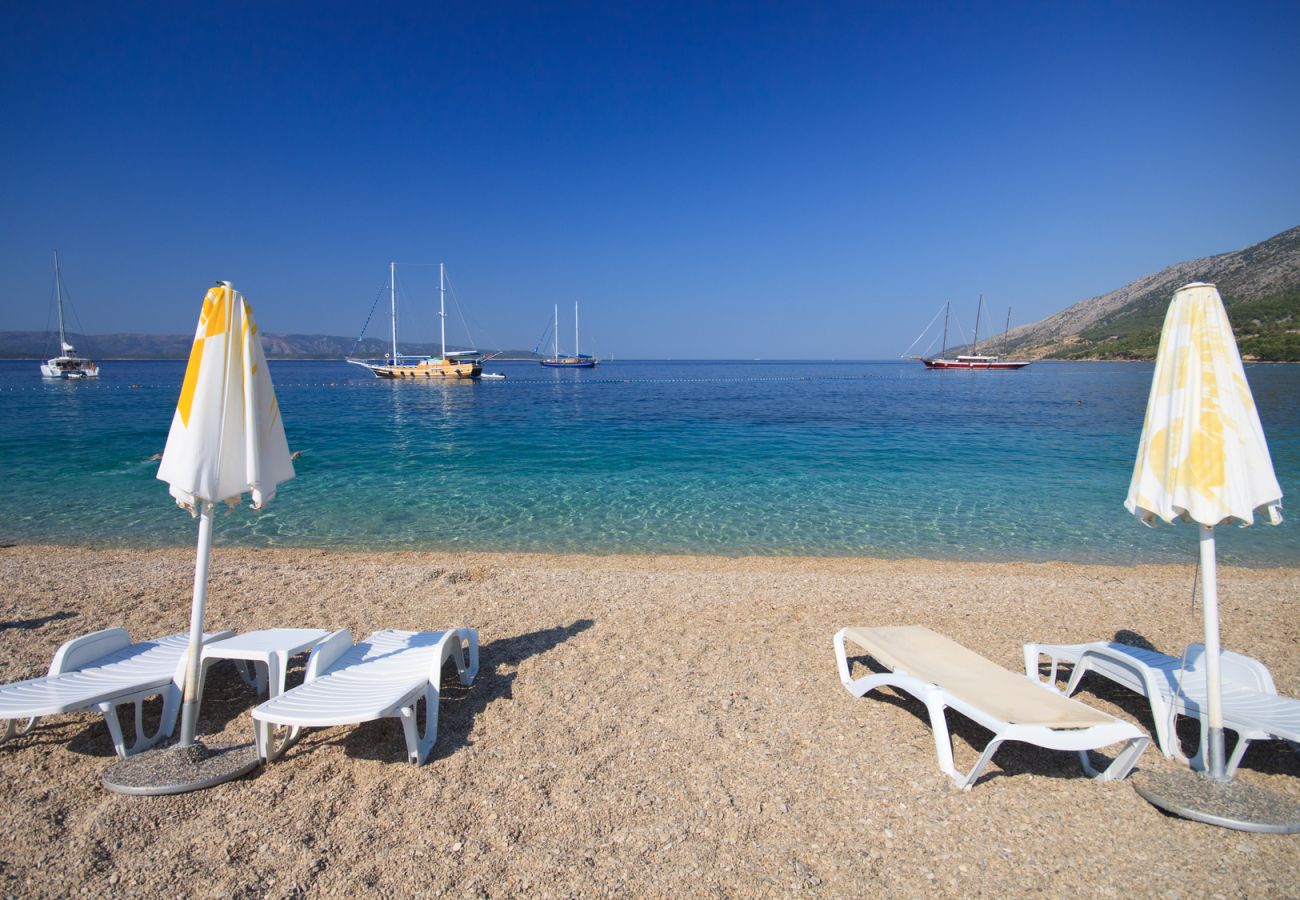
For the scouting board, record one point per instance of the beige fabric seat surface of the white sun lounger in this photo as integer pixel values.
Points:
(969, 677)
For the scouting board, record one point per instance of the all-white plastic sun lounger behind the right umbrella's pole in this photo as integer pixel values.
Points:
(1251, 704)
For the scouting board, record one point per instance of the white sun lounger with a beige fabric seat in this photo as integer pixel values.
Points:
(944, 674)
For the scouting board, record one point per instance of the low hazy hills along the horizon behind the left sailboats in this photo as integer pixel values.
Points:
(40, 345)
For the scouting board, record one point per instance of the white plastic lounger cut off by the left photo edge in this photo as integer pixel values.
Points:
(99, 673)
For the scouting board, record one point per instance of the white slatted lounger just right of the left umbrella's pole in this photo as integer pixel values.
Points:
(384, 677)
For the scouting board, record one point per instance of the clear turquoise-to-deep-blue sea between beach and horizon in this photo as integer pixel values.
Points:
(882, 460)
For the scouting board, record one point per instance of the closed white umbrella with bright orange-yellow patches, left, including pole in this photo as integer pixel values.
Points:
(227, 440)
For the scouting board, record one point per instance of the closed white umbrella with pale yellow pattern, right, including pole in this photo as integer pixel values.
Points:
(1203, 457)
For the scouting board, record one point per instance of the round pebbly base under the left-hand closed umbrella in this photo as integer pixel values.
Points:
(180, 769)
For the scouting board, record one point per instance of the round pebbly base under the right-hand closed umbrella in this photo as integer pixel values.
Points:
(1228, 804)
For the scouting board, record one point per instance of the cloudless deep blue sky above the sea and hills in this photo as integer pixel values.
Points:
(709, 180)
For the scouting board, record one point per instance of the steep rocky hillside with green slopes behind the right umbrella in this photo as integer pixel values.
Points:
(1260, 287)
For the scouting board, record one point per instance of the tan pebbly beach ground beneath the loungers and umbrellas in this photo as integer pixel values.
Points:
(642, 726)
